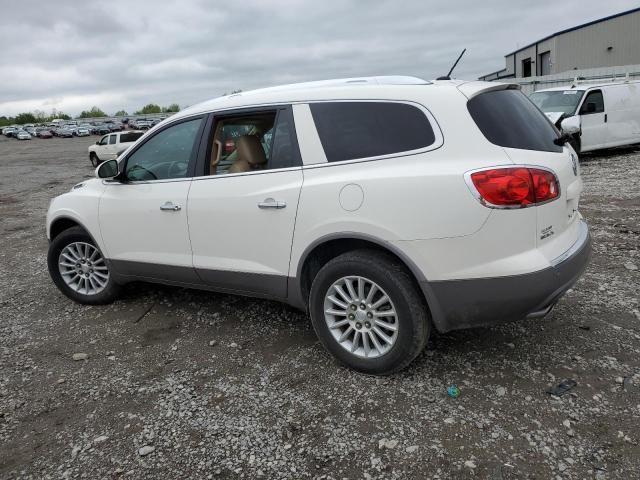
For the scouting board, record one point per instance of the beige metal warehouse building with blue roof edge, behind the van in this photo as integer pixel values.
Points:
(607, 42)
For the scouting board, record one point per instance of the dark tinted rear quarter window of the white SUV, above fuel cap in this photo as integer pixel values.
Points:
(352, 130)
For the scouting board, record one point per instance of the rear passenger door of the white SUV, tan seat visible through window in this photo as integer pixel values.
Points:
(242, 223)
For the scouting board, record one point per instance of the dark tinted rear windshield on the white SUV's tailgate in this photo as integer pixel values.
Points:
(509, 119)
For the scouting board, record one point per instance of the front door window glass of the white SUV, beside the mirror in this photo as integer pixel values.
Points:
(165, 155)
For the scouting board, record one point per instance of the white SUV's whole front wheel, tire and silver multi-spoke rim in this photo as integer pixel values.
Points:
(79, 269)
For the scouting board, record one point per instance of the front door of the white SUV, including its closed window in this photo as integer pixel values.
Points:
(143, 217)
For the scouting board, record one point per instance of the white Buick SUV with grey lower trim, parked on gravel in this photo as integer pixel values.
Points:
(385, 206)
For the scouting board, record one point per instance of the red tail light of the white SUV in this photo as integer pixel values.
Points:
(514, 187)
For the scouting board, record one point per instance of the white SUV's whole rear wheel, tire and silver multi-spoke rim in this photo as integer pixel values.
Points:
(368, 313)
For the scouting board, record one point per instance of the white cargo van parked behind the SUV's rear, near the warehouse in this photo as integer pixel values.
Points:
(608, 114)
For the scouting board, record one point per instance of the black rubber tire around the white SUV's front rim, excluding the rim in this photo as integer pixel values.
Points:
(71, 235)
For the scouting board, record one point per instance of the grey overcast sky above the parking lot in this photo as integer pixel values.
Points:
(71, 55)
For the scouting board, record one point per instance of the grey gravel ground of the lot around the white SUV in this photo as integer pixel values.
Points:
(177, 383)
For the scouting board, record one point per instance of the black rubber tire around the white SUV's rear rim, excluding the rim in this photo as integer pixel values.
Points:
(414, 324)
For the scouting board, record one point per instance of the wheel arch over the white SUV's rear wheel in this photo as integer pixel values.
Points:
(330, 246)
